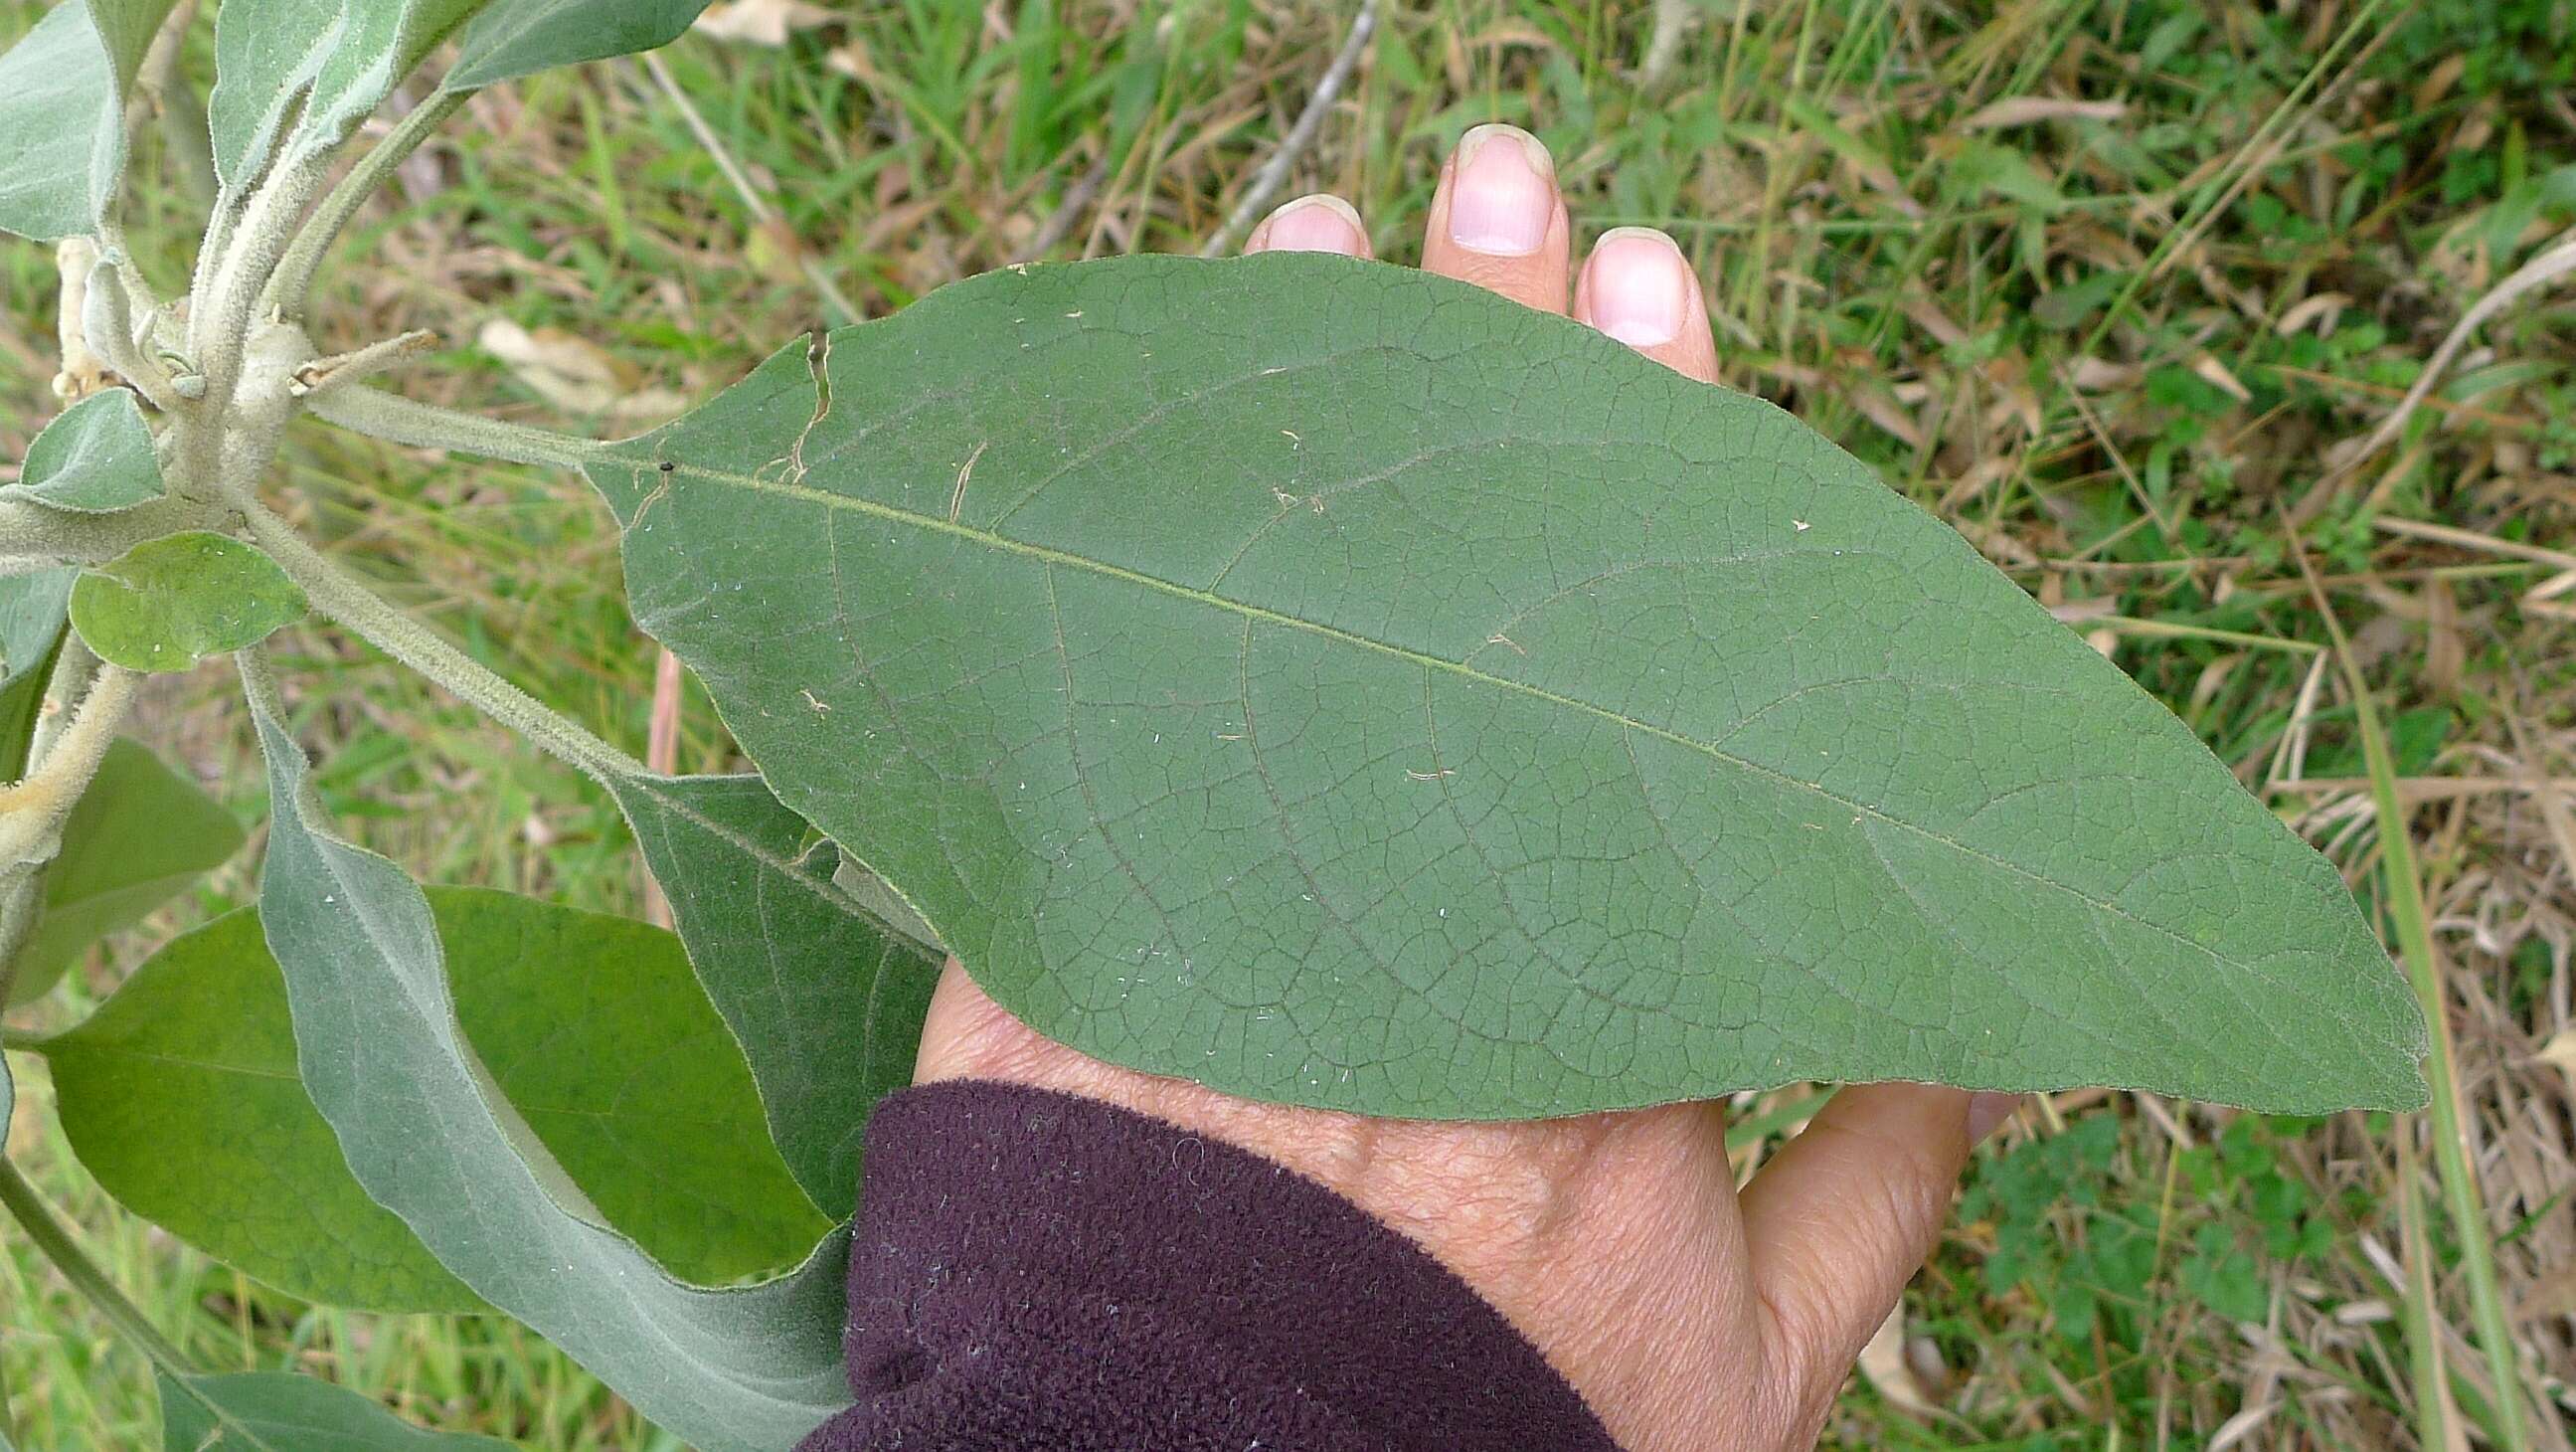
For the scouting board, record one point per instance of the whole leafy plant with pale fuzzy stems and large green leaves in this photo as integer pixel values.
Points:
(1307, 677)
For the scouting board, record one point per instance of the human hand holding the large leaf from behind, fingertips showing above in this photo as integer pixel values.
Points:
(1619, 1244)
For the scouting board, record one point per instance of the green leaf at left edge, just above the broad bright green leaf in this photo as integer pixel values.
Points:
(138, 839)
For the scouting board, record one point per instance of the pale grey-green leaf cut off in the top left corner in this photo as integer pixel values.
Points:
(63, 102)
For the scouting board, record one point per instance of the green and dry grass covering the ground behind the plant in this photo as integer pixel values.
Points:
(2067, 337)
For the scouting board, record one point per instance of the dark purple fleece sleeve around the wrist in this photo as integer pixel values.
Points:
(1037, 1270)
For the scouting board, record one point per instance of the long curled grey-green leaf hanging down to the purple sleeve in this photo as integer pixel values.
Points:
(383, 1059)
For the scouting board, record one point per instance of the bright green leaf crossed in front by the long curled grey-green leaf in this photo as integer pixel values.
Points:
(182, 1097)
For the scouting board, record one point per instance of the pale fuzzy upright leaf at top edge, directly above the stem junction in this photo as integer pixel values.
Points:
(292, 79)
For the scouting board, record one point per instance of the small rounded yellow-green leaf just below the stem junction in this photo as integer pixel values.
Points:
(174, 602)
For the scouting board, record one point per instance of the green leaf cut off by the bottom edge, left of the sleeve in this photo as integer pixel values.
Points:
(279, 1412)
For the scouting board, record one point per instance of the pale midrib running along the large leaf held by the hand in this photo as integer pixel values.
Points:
(1052, 556)
